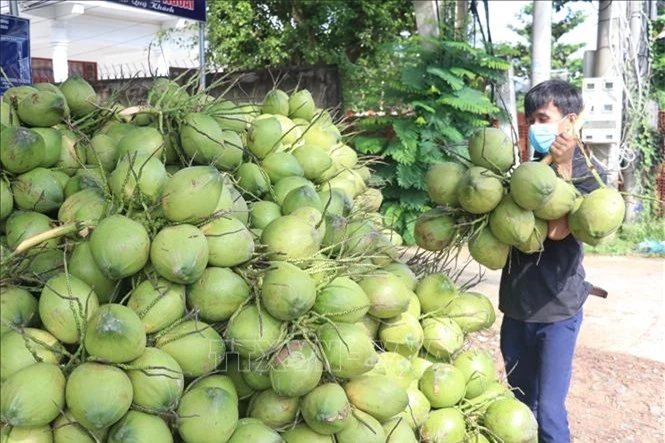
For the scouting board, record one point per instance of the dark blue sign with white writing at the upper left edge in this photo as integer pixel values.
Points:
(14, 52)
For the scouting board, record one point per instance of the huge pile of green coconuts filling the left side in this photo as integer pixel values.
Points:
(190, 269)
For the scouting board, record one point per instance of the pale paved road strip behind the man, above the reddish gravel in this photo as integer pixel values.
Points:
(631, 320)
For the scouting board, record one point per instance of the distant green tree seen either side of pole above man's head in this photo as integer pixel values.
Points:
(562, 53)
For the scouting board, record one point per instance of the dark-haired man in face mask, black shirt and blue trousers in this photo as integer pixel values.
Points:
(542, 294)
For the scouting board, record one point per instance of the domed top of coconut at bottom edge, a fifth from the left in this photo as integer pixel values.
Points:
(137, 426)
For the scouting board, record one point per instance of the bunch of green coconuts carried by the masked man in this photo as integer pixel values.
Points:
(495, 204)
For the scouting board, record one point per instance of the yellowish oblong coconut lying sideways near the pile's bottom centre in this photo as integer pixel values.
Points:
(376, 395)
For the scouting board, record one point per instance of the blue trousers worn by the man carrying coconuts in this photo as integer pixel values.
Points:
(538, 359)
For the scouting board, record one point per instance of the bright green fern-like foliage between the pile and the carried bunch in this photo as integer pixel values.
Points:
(443, 86)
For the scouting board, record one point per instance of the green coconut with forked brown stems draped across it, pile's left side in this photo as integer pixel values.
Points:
(65, 305)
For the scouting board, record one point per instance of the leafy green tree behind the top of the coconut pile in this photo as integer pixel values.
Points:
(250, 34)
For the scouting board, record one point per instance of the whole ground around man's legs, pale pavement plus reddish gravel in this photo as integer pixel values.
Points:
(617, 392)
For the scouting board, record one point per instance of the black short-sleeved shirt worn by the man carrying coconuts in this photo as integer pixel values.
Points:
(550, 285)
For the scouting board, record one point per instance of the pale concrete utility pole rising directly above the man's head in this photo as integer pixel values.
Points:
(541, 45)
